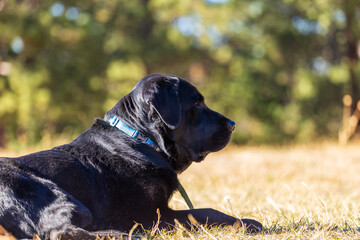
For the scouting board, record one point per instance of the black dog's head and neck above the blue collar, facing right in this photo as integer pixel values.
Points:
(173, 113)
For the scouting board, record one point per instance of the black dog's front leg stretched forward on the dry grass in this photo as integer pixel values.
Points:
(207, 216)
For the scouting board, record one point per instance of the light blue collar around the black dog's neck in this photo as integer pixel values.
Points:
(136, 134)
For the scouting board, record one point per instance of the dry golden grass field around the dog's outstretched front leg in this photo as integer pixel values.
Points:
(298, 192)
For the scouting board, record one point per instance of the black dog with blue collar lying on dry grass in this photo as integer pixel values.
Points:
(118, 172)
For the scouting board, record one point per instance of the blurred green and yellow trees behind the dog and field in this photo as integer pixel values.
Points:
(279, 68)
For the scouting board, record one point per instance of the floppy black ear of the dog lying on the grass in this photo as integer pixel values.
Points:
(163, 96)
